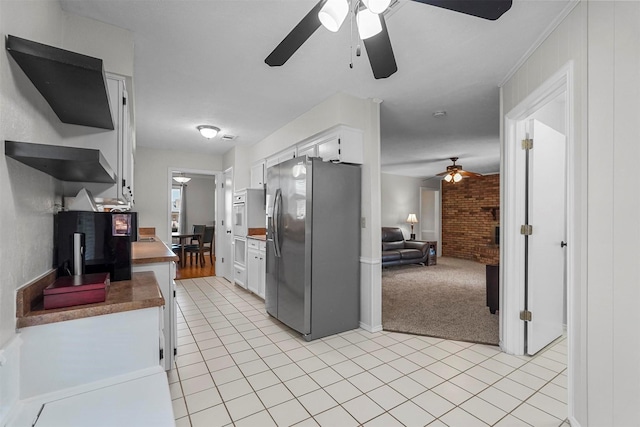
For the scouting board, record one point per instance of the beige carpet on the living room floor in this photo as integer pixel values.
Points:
(447, 300)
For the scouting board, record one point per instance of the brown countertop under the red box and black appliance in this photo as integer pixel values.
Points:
(140, 292)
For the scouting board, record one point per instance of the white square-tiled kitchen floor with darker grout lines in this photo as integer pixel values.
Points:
(238, 366)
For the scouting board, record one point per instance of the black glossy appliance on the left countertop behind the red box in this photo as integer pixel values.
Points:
(102, 241)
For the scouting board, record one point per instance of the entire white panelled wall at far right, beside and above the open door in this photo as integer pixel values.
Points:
(602, 39)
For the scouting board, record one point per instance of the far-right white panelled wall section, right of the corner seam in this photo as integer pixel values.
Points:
(613, 272)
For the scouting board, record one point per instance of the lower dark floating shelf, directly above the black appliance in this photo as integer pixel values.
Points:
(64, 163)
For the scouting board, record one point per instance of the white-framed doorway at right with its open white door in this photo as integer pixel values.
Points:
(552, 105)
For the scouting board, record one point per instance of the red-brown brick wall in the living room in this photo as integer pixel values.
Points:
(467, 222)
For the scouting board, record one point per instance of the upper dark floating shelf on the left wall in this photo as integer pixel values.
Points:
(73, 84)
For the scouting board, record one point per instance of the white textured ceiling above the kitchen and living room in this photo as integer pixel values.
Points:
(202, 62)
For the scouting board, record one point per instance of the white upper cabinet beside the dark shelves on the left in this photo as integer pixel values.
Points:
(115, 145)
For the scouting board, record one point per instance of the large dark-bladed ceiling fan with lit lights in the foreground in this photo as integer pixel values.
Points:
(372, 29)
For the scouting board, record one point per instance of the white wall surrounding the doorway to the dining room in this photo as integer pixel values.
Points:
(151, 176)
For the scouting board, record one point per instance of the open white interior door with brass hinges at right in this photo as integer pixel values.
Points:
(546, 258)
